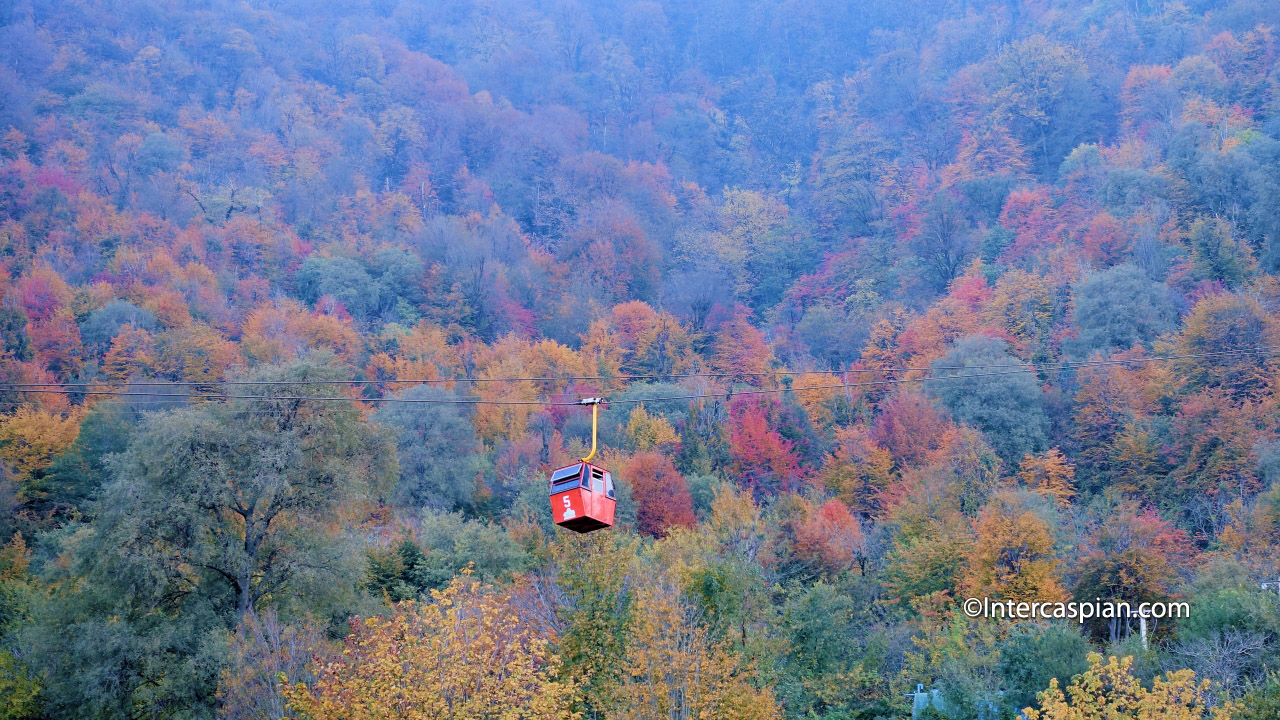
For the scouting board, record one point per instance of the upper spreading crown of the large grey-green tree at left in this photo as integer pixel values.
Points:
(239, 495)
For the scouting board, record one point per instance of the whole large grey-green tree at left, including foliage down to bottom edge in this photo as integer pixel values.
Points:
(212, 513)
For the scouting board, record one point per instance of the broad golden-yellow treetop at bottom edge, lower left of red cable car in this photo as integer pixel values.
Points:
(464, 657)
